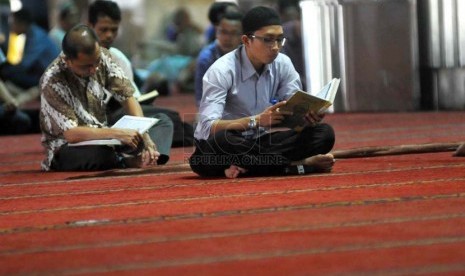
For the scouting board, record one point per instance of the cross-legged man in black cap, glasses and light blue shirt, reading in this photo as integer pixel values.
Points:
(237, 110)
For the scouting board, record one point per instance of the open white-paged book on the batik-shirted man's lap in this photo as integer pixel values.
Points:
(141, 124)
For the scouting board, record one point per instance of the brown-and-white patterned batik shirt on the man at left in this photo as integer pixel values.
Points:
(69, 101)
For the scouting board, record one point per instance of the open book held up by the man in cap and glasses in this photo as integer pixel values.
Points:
(302, 102)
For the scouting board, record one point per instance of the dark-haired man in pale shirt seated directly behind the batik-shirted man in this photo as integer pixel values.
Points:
(105, 17)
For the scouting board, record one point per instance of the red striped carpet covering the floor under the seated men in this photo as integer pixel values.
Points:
(391, 215)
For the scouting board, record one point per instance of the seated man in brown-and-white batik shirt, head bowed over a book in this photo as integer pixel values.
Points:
(74, 92)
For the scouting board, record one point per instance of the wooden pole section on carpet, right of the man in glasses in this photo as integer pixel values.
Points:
(396, 150)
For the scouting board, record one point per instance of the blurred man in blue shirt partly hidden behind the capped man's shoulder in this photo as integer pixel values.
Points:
(228, 38)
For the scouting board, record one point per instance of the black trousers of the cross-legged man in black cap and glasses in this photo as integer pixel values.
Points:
(268, 154)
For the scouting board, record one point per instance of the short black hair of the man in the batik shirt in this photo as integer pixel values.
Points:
(80, 39)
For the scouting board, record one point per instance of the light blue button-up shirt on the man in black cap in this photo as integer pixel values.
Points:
(233, 89)
